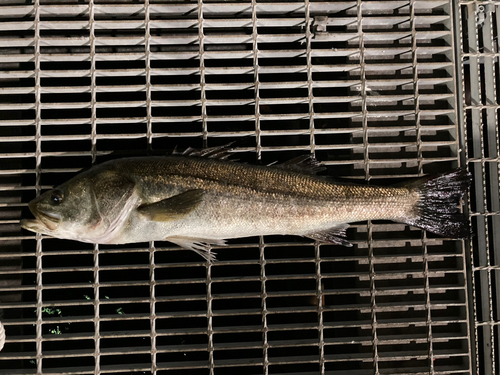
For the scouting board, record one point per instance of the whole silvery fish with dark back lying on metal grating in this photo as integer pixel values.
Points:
(201, 198)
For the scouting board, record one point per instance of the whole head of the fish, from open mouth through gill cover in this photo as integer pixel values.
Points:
(91, 207)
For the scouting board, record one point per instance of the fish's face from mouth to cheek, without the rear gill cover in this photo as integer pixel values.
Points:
(67, 211)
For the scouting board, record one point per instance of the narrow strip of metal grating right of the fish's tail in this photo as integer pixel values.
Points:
(480, 74)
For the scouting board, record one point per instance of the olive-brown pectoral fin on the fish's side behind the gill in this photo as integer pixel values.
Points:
(173, 208)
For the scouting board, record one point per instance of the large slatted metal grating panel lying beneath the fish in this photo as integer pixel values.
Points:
(368, 87)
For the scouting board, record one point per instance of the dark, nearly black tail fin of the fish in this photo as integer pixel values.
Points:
(437, 210)
